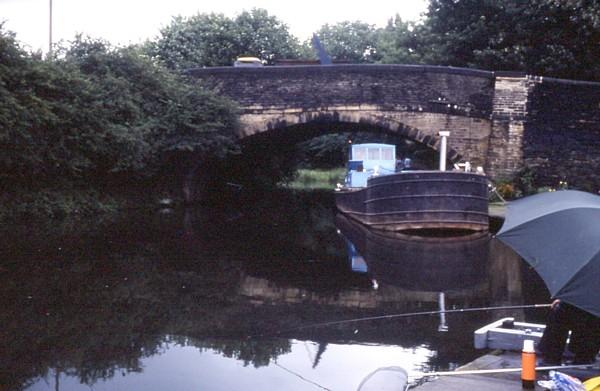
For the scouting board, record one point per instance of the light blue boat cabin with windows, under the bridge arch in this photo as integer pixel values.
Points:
(367, 160)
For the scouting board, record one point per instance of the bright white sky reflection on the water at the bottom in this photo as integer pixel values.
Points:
(188, 368)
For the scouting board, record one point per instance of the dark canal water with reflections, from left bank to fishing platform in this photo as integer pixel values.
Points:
(257, 296)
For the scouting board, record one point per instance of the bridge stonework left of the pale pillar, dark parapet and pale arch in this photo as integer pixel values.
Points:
(415, 101)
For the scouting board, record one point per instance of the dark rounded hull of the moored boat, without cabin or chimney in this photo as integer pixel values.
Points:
(419, 200)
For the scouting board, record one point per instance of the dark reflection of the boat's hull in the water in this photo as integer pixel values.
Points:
(451, 263)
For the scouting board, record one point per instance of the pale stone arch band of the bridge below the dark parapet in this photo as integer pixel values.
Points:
(468, 140)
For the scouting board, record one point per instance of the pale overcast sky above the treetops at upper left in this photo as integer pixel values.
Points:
(132, 21)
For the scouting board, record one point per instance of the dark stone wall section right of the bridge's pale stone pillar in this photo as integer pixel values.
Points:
(562, 133)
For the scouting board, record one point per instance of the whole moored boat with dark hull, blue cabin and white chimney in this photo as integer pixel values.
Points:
(384, 194)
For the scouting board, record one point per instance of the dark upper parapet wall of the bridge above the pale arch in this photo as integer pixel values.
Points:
(410, 87)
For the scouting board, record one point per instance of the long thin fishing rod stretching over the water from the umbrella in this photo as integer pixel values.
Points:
(404, 315)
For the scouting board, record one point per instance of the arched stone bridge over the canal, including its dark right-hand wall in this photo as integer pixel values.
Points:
(501, 121)
